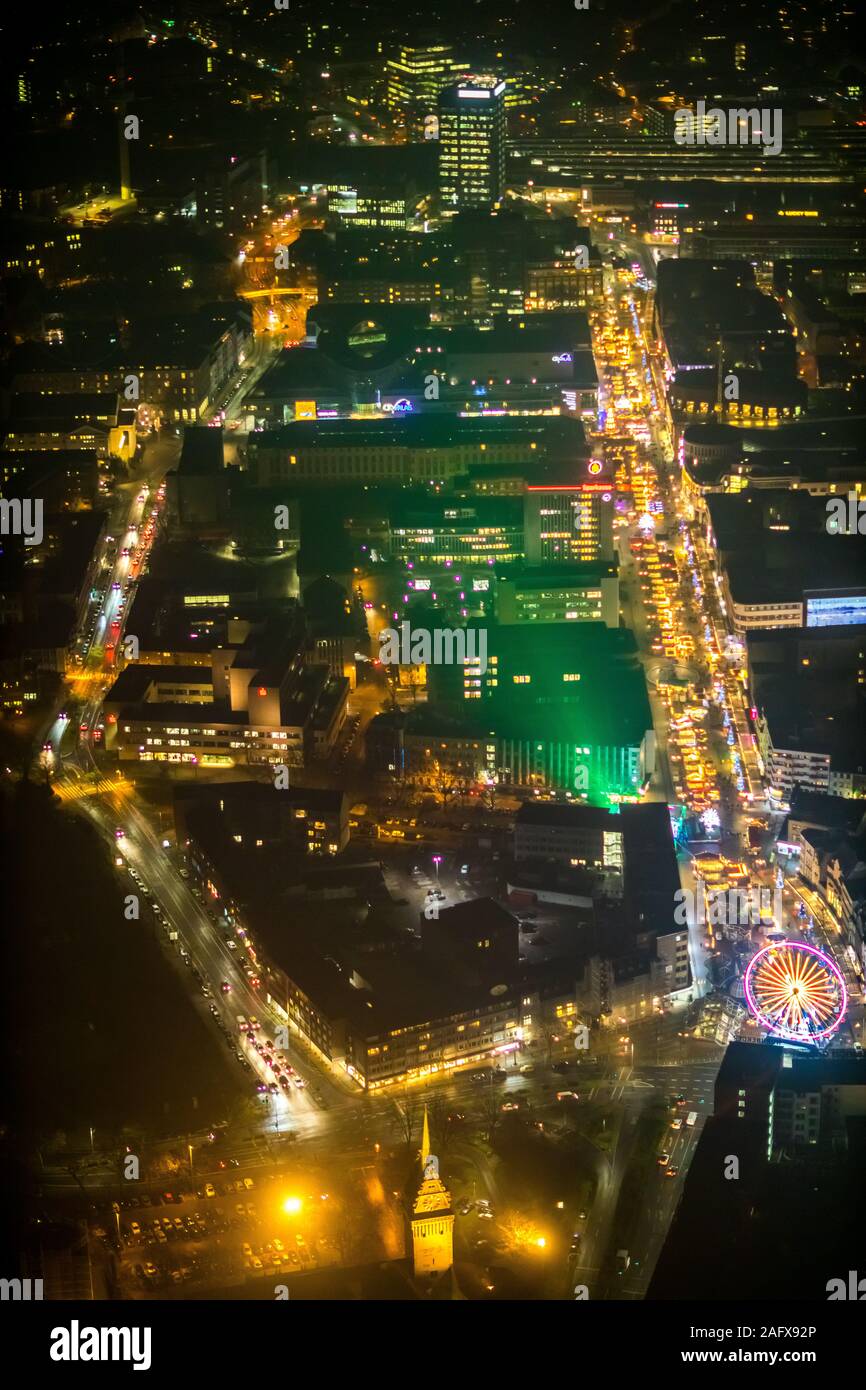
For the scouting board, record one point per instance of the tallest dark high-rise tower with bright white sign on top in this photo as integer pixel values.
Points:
(472, 145)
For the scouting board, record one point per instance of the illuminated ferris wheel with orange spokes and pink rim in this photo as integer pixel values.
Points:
(796, 992)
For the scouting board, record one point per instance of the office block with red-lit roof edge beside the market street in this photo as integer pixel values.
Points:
(568, 522)
